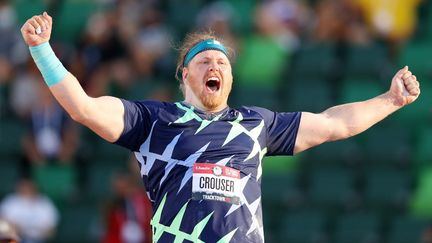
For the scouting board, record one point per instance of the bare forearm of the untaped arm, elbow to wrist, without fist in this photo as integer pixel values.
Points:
(353, 118)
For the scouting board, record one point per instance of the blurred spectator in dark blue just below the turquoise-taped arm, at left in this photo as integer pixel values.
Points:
(53, 136)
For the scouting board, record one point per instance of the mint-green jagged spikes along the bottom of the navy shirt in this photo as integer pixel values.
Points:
(174, 229)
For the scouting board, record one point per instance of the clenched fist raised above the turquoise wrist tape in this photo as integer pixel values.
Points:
(37, 29)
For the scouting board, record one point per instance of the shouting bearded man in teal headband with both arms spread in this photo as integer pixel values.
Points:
(200, 159)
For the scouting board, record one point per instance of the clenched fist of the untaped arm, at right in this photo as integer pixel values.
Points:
(404, 87)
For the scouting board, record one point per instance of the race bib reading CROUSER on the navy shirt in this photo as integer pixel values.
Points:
(215, 182)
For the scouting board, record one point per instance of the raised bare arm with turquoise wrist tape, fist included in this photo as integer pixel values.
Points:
(103, 115)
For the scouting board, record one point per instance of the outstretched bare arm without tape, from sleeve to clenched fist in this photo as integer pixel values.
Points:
(347, 120)
